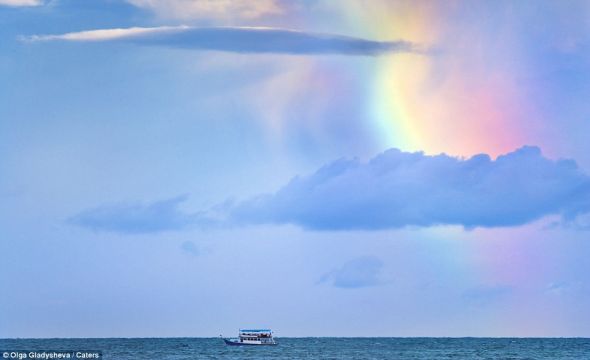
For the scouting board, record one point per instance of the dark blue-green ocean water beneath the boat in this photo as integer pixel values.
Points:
(318, 348)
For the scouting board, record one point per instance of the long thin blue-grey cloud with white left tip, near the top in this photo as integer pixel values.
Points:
(237, 39)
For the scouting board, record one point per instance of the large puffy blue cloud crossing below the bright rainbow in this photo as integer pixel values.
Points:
(397, 189)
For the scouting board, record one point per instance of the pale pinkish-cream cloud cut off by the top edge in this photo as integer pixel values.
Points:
(208, 9)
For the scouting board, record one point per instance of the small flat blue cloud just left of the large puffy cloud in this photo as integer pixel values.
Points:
(136, 218)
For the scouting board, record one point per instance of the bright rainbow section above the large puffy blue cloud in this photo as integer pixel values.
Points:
(447, 101)
